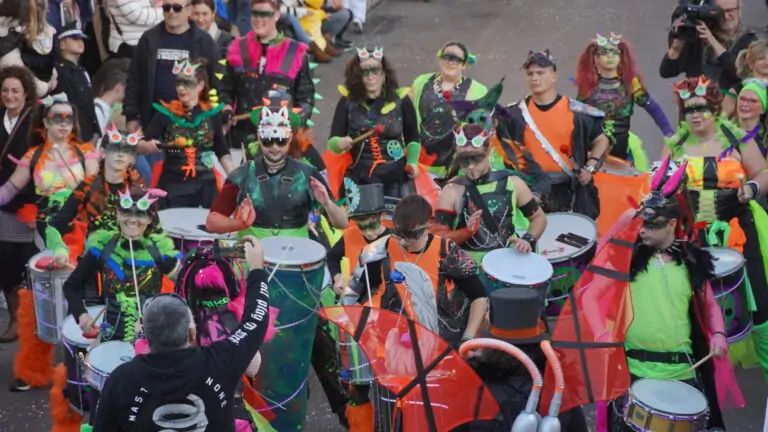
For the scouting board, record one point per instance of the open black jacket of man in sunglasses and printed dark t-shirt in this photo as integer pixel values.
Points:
(140, 85)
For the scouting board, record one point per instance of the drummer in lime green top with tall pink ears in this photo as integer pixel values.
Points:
(665, 337)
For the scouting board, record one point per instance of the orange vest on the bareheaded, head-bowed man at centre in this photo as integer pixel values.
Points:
(429, 261)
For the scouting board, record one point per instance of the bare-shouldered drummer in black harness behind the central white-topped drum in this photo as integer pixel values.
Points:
(476, 210)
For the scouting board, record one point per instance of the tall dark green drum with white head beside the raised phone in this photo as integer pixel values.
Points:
(299, 270)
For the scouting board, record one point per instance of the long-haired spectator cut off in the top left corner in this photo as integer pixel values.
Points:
(26, 39)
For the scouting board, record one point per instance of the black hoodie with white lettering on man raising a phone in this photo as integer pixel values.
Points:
(190, 389)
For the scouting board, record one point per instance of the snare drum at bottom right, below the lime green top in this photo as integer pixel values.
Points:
(665, 406)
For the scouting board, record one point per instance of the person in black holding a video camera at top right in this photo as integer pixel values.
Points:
(706, 38)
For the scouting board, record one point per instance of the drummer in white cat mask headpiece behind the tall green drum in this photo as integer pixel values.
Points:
(273, 194)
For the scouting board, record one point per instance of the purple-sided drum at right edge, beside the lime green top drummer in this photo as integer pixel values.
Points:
(730, 290)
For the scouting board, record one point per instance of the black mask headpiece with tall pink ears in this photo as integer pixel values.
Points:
(661, 202)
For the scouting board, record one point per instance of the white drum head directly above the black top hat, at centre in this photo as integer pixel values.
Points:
(513, 267)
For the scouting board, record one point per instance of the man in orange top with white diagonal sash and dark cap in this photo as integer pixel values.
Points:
(565, 137)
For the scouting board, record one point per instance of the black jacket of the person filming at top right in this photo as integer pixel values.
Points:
(692, 64)
